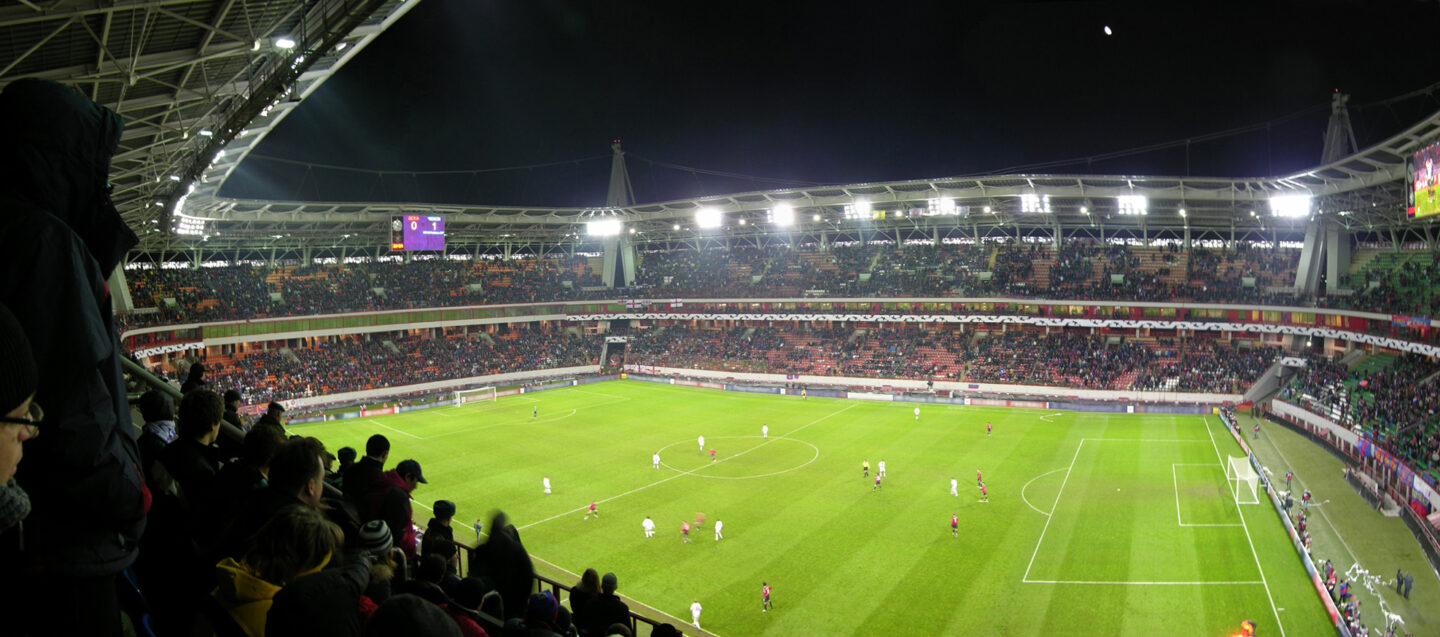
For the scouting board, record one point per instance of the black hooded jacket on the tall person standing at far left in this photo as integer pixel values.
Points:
(63, 239)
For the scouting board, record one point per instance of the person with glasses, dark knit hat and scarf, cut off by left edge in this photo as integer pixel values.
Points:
(18, 378)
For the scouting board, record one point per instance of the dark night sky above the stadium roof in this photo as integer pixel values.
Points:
(837, 93)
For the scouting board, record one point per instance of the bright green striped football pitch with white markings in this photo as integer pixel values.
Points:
(1097, 524)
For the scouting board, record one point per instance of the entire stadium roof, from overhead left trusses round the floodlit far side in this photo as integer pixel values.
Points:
(202, 83)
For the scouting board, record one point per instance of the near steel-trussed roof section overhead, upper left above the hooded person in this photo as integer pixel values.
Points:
(191, 77)
